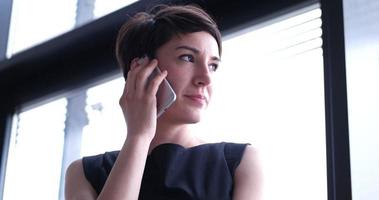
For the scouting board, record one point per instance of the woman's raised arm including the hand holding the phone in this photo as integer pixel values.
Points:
(138, 103)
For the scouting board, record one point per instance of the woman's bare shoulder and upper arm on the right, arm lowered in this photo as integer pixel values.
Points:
(248, 176)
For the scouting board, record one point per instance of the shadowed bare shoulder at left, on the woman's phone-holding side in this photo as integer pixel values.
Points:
(76, 185)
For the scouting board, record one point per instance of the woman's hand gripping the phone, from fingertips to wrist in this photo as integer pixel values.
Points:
(138, 101)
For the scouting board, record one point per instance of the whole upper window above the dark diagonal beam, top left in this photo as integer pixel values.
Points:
(30, 26)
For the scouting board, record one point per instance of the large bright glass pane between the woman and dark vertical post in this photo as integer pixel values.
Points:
(270, 92)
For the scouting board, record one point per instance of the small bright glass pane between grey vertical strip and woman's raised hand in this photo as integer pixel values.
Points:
(106, 130)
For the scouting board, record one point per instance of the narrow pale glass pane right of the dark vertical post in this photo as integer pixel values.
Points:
(362, 70)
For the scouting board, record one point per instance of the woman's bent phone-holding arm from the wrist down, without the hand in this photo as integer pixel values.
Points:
(123, 182)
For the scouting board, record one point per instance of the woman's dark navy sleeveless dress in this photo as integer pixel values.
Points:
(174, 172)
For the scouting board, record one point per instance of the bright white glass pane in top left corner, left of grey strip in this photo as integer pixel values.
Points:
(37, 21)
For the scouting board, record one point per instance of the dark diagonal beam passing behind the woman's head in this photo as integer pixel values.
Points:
(86, 54)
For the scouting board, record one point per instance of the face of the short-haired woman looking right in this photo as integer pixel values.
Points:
(191, 60)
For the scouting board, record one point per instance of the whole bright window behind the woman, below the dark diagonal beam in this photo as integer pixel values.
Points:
(269, 89)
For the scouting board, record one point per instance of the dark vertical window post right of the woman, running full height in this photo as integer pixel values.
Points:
(336, 116)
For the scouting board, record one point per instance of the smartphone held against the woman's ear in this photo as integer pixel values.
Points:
(165, 95)
